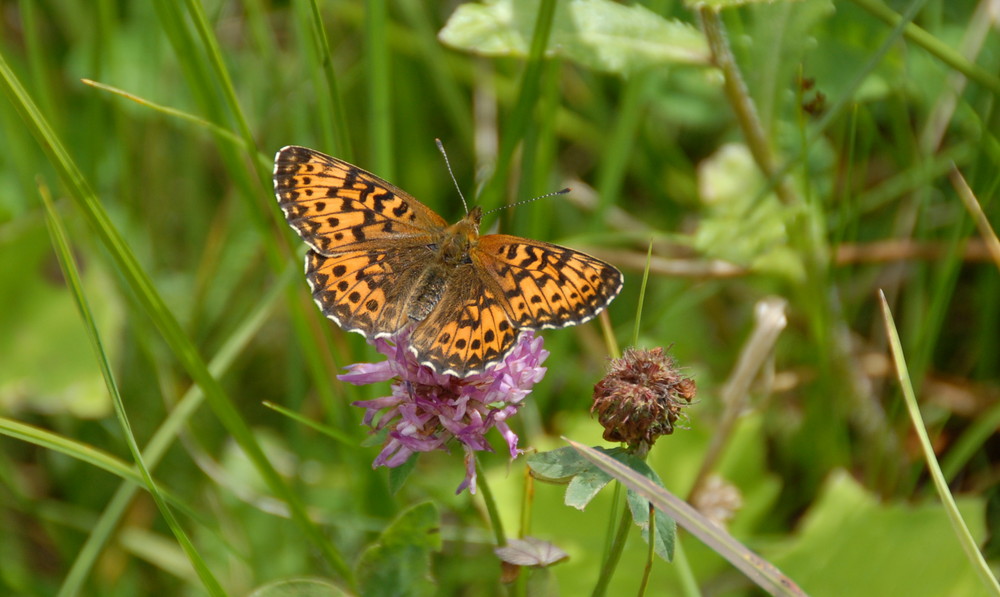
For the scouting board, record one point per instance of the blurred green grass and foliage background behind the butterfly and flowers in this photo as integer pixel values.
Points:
(185, 260)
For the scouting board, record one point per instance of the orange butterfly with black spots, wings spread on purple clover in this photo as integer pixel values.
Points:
(379, 261)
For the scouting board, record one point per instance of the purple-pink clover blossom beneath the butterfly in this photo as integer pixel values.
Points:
(426, 410)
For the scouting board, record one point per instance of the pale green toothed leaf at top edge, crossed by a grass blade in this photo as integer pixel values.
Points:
(598, 34)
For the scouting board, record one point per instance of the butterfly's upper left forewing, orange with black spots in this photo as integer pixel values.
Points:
(335, 206)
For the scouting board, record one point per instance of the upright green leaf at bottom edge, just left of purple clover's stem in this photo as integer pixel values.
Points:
(399, 563)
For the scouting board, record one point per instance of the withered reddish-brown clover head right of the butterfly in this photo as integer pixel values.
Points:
(641, 397)
